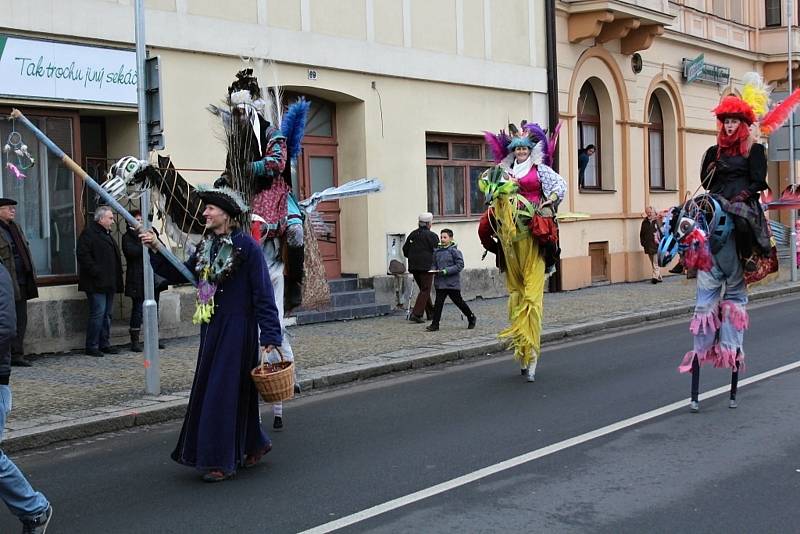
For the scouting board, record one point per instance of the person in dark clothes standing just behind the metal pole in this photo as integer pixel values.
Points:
(134, 282)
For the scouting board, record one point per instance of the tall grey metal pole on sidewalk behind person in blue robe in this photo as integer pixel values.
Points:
(152, 370)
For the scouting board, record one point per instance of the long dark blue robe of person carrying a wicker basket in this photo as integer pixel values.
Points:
(222, 423)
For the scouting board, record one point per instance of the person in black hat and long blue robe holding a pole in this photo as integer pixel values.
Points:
(236, 309)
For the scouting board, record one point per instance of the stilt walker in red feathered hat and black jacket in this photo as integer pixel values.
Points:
(724, 235)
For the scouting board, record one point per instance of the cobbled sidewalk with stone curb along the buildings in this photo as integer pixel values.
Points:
(72, 395)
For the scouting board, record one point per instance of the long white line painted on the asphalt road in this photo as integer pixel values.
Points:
(463, 480)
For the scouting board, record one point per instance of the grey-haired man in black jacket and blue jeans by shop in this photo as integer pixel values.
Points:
(100, 276)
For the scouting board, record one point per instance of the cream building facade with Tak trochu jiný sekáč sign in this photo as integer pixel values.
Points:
(400, 89)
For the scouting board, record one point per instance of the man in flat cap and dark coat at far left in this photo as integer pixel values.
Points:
(15, 254)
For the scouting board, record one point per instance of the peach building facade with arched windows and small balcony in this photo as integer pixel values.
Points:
(638, 79)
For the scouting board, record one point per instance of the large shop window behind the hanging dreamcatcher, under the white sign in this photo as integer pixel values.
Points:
(46, 196)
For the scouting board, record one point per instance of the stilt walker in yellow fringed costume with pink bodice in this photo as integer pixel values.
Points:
(520, 228)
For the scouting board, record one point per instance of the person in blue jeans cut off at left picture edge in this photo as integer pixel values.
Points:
(29, 505)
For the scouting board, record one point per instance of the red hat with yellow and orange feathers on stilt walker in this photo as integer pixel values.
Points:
(753, 105)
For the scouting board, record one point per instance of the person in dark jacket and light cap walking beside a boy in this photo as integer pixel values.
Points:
(419, 248)
